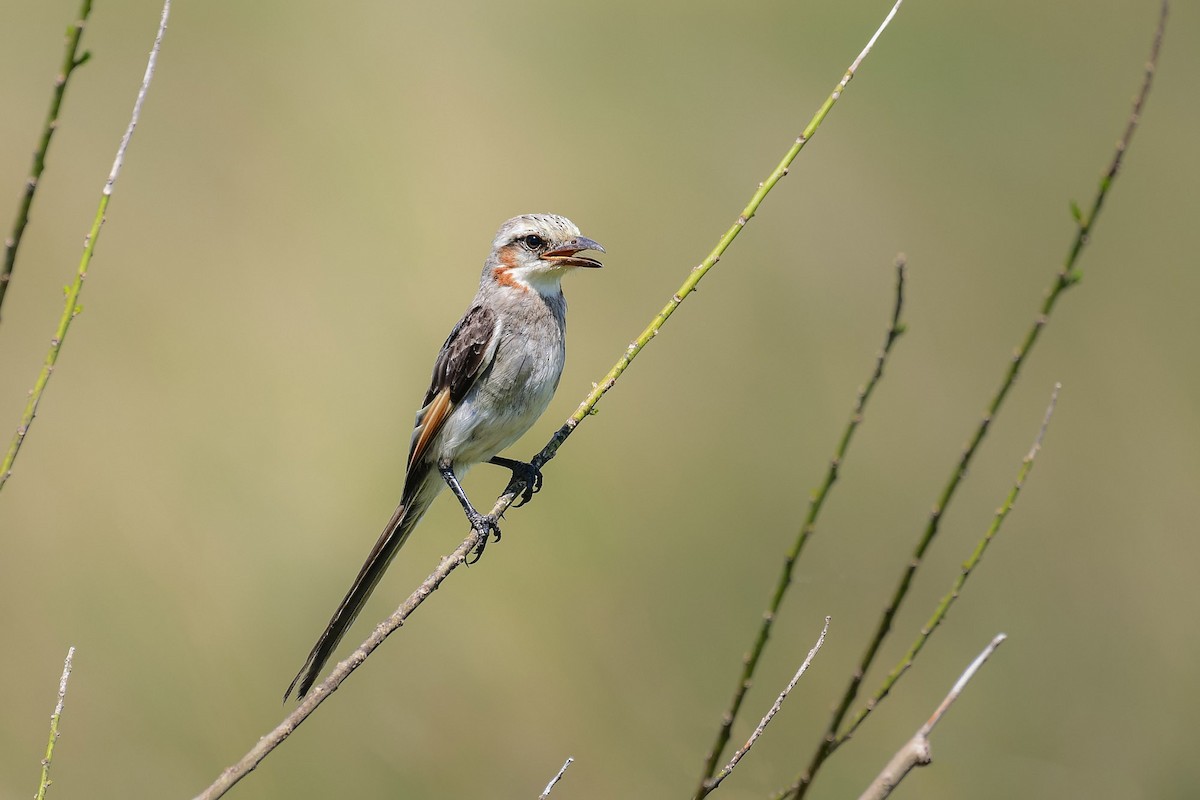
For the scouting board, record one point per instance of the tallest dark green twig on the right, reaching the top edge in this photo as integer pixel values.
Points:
(1066, 278)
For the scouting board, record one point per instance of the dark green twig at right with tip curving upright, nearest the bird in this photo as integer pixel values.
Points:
(815, 504)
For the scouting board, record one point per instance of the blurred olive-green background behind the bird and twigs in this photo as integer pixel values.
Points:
(303, 216)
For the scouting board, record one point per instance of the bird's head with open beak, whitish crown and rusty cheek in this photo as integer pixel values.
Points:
(535, 251)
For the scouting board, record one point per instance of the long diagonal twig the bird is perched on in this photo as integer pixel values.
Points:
(267, 744)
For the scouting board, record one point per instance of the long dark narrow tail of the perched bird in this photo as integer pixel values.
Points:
(394, 537)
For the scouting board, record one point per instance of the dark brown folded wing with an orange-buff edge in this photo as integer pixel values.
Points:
(466, 354)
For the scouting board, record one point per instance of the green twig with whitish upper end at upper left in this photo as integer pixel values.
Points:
(73, 294)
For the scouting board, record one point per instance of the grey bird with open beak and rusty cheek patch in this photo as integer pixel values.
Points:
(493, 380)
